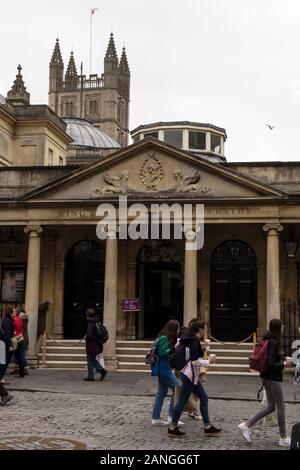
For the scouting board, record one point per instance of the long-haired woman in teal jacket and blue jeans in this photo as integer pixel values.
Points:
(164, 345)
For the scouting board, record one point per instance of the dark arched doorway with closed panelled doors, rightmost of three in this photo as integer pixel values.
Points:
(233, 291)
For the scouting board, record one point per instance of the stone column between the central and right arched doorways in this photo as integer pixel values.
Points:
(190, 283)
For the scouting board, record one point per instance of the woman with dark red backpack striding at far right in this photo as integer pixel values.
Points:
(267, 359)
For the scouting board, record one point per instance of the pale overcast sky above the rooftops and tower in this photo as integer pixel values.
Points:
(233, 63)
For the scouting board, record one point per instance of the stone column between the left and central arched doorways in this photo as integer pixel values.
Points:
(110, 299)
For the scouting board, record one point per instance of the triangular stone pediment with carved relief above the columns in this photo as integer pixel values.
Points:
(152, 168)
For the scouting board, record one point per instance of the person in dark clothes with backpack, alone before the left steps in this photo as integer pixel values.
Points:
(96, 336)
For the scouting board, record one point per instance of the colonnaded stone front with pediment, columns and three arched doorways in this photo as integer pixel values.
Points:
(243, 272)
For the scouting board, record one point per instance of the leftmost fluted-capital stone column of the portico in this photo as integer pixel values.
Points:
(33, 285)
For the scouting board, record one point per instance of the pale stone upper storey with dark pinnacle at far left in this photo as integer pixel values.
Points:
(30, 135)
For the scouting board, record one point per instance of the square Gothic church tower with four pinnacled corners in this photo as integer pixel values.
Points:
(102, 99)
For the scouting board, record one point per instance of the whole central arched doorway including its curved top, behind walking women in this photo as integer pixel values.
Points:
(158, 286)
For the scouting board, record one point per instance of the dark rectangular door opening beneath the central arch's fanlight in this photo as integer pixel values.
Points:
(161, 297)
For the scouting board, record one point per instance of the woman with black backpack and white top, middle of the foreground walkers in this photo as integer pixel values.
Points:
(189, 358)
